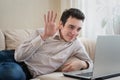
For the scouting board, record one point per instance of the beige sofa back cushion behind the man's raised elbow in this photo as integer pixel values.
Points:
(14, 38)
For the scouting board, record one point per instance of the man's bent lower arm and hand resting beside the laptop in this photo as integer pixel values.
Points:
(81, 60)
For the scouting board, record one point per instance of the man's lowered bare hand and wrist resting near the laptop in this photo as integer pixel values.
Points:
(74, 65)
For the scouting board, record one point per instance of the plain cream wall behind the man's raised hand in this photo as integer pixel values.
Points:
(25, 13)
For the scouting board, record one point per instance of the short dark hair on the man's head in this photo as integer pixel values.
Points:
(72, 12)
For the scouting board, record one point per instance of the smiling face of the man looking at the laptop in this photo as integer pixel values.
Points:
(71, 29)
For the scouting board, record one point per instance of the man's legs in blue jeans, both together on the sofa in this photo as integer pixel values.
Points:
(9, 69)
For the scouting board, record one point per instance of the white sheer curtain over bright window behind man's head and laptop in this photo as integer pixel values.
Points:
(102, 16)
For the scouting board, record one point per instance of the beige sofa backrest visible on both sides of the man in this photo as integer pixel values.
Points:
(13, 38)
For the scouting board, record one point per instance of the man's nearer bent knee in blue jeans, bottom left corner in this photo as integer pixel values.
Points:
(11, 71)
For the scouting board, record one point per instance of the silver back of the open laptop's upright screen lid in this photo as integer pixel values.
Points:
(107, 56)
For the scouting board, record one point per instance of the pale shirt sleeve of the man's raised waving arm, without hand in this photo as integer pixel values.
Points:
(28, 47)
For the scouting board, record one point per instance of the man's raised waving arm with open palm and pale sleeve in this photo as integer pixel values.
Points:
(29, 47)
